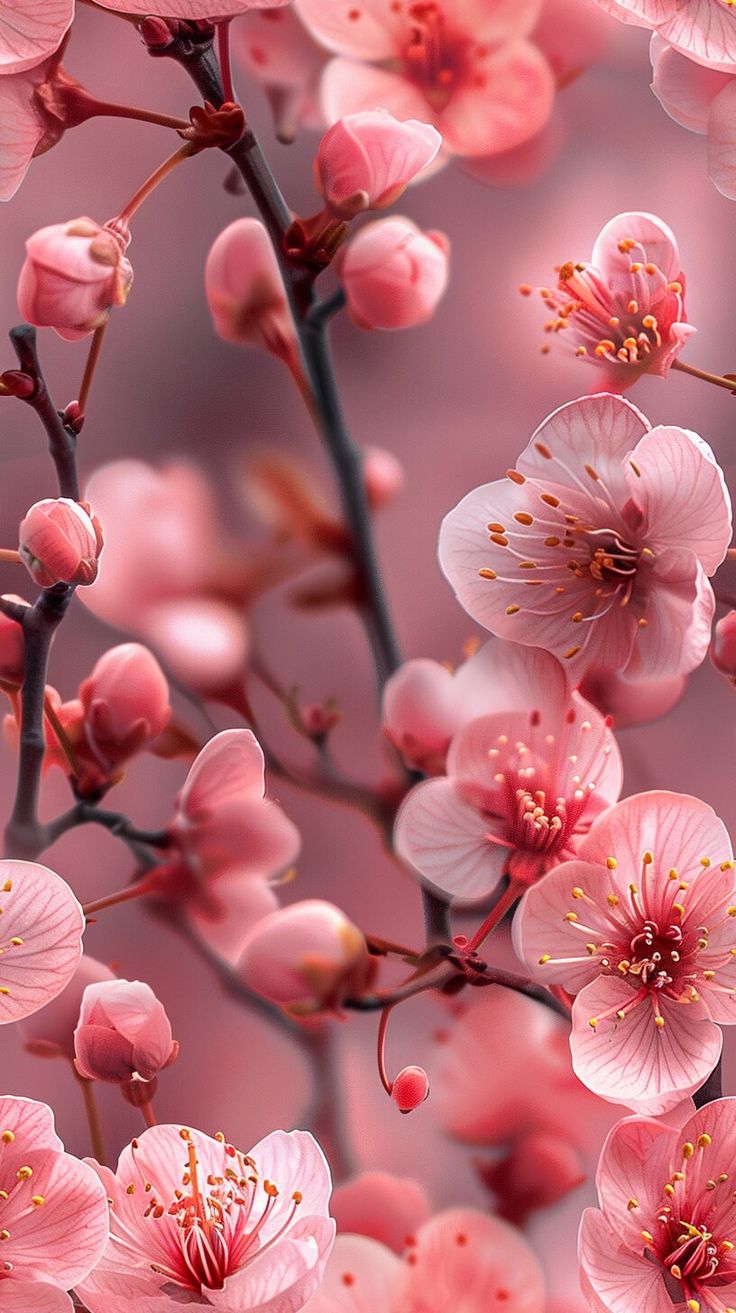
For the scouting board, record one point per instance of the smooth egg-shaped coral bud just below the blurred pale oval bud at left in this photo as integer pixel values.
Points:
(127, 703)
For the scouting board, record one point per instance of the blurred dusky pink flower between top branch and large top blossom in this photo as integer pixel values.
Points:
(279, 53)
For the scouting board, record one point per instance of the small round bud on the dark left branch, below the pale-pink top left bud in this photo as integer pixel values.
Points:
(61, 543)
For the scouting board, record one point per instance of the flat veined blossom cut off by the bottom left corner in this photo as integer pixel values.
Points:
(47, 1197)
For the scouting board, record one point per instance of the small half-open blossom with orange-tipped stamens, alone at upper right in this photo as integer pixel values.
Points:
(625, 309)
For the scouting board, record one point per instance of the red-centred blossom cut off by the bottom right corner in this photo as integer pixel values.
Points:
(663, 1236)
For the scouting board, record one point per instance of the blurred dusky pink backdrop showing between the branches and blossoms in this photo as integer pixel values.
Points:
(456, 401)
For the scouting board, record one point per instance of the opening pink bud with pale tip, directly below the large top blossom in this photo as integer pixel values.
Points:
(368, 160)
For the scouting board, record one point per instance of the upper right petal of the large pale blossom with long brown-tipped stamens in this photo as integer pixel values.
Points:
(680, 488)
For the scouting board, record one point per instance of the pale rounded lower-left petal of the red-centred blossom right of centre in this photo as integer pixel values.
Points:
(445, 838)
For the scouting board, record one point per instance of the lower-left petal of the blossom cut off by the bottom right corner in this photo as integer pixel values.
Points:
(617, 1280)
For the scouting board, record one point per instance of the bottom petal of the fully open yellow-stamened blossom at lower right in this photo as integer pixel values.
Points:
(650, 1068)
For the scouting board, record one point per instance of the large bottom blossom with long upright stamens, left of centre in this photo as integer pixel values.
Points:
(237, 1232)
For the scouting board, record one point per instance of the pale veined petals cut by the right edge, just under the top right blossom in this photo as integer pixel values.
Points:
(703, 100)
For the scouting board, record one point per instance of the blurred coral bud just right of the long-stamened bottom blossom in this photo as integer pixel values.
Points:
(388, 1209)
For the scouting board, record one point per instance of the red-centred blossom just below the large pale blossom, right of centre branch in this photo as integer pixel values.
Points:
(521, 791)
